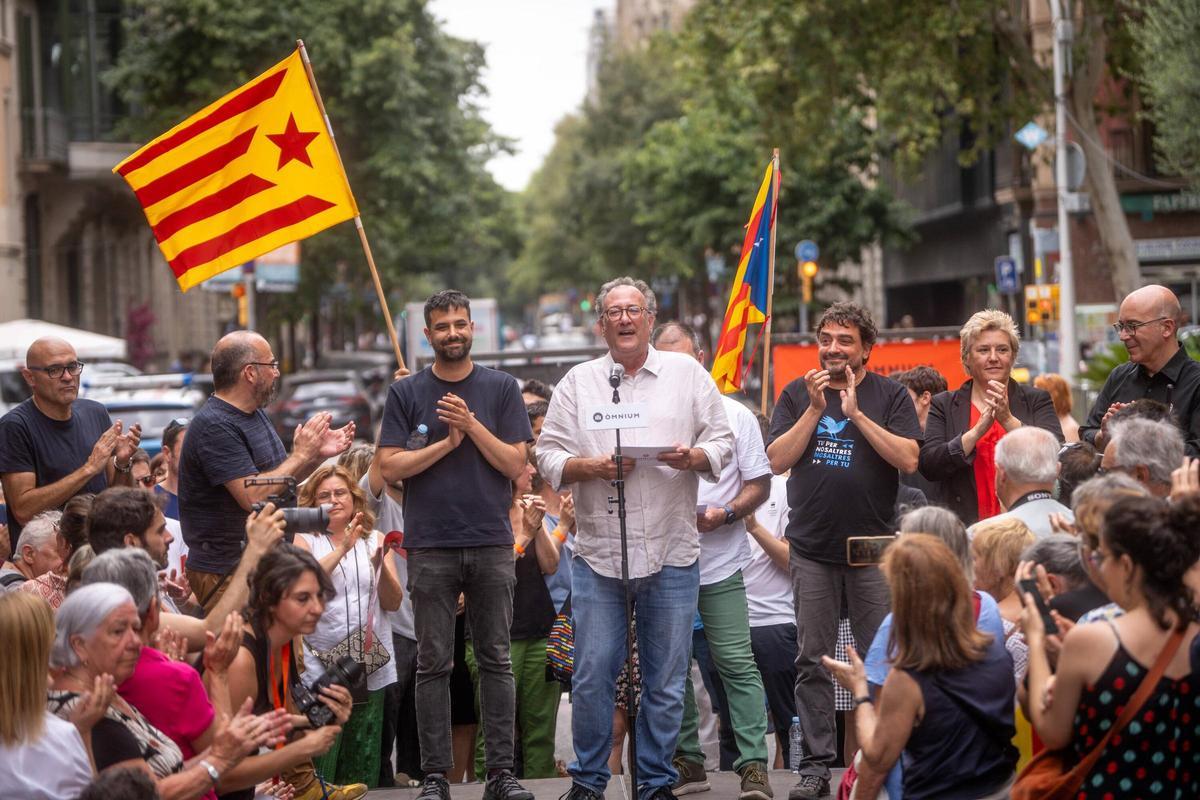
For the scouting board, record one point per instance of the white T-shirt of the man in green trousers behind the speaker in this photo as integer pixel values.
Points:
(724, 551)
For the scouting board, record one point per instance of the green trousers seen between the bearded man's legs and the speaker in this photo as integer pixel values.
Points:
(537, 712)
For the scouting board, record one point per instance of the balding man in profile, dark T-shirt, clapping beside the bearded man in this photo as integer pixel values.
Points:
(232, 440)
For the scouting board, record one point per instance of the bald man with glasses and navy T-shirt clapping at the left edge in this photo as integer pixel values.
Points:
(56, 446)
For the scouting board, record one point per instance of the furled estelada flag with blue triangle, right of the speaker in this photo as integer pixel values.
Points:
(752, 286)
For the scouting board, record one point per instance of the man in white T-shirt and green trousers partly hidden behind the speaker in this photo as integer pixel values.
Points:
(724, 552)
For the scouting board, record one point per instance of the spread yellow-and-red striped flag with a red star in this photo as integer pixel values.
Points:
(250, 173)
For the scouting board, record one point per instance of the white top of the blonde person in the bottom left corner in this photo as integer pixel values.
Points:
(53, 767)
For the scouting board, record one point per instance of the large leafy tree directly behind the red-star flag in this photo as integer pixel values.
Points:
(404, 99)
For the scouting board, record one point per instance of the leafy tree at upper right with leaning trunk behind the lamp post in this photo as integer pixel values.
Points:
(917, 70)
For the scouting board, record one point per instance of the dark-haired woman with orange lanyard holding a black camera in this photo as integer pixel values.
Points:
(289, 593)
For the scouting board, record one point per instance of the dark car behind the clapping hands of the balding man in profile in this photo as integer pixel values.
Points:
(341, 393)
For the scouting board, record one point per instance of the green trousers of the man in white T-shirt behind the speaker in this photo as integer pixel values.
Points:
(723, 609)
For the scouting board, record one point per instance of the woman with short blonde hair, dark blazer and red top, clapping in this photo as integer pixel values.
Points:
(964, 426)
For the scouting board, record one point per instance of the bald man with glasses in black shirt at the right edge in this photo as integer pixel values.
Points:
(1160, 369)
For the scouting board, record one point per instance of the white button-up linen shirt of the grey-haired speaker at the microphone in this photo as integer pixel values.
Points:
(685, 408)
